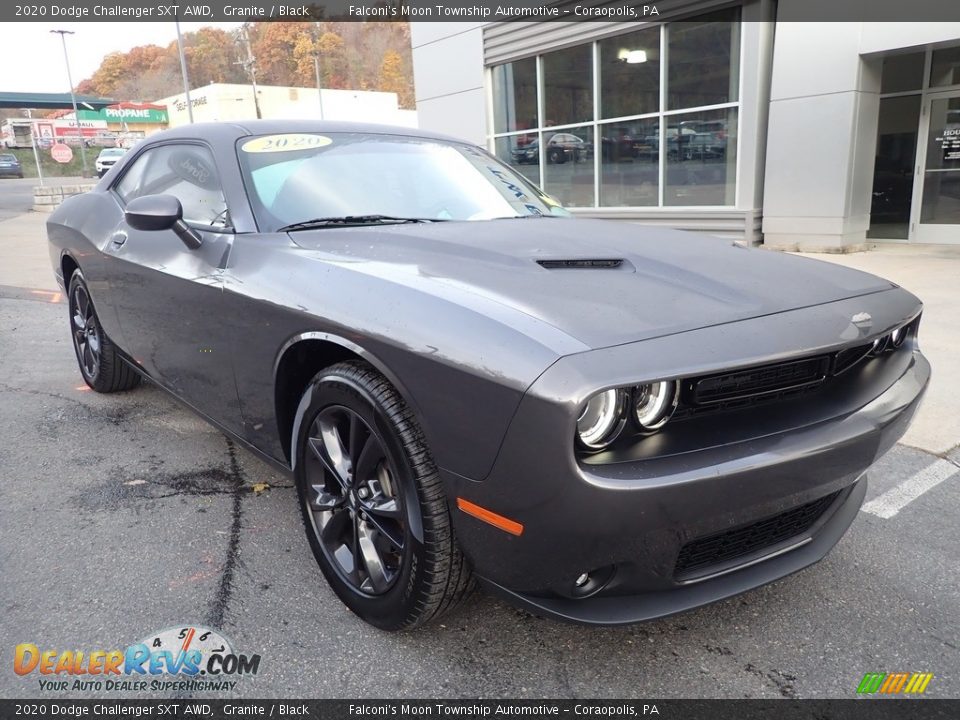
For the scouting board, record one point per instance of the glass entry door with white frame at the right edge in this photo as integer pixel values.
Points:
(936, 215)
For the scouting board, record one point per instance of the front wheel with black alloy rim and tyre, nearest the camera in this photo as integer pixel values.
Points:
(372, 502)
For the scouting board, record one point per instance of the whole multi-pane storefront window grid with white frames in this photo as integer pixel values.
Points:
(597, 138)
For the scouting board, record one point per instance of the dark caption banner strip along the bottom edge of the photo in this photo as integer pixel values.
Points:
(181, 709)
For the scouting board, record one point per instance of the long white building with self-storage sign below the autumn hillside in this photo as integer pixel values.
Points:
(224, 101)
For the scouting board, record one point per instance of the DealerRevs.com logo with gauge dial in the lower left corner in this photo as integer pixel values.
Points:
(182, 658)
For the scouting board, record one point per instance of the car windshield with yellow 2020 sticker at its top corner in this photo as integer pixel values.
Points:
(292, 178)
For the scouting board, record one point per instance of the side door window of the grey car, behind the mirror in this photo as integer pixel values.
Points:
(185, 171)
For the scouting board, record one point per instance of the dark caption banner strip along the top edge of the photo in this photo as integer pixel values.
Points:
(461, 10)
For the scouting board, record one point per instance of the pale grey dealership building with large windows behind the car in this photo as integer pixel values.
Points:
(718, 117)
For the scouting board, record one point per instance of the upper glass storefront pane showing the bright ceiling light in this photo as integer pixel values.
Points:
(630, 74)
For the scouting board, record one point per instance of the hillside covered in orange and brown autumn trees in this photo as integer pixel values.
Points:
(352, 55)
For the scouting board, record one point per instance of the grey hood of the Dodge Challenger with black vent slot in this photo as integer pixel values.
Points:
(667, 281)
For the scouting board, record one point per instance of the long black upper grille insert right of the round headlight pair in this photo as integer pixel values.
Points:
(761, 380)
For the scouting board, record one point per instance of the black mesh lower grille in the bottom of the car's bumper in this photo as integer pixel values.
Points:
(746, 540)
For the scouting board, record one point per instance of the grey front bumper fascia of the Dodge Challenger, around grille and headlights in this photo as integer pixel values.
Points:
(630, 519)
